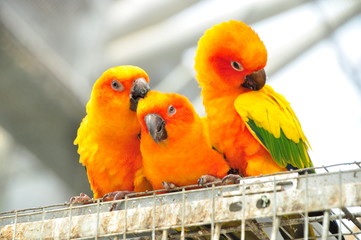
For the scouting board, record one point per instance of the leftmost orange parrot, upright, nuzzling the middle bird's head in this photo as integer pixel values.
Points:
(108, 137)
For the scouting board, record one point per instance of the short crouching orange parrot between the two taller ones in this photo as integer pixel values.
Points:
(175, 144)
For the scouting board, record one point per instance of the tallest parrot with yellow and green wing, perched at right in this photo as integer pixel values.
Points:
(252, 125)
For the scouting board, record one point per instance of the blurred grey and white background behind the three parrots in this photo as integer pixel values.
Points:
(51, 52)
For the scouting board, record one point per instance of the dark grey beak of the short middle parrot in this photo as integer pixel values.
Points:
(156, 127)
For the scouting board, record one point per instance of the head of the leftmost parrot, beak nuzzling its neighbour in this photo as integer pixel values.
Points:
(116, 93)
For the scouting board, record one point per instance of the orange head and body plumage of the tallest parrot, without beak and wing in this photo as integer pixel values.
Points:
(221, 46)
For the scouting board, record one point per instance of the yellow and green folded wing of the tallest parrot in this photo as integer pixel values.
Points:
(271, 120)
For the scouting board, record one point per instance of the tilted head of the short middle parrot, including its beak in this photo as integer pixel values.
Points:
(165, 115)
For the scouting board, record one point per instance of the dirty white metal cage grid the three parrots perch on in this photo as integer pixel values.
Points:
(253, 209)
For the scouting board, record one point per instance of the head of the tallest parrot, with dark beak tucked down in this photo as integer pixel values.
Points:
(233, 53)
